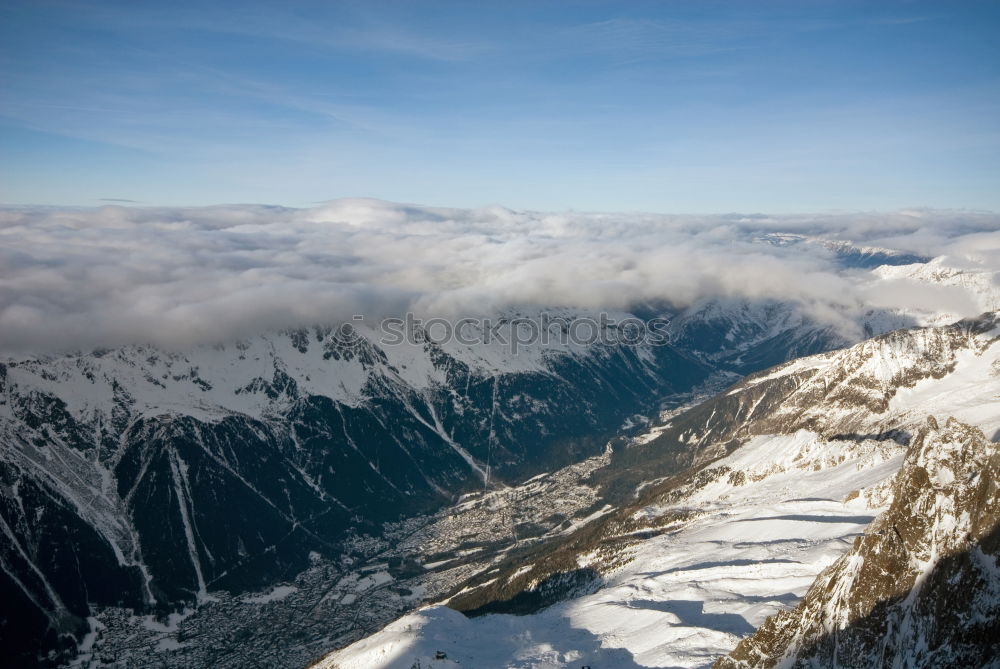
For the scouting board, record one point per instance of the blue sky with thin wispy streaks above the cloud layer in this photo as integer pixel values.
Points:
(656, 106)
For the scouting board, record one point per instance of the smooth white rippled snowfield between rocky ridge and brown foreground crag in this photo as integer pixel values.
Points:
(687, 596)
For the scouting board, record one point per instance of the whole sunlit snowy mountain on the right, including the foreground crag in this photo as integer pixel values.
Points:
(741, 503)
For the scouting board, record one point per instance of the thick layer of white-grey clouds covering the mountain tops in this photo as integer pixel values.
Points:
(75, 279)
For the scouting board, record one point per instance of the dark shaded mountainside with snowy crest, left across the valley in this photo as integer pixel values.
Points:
(147, 480)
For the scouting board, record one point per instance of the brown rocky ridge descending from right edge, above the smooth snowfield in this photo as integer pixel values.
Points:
(841, 396)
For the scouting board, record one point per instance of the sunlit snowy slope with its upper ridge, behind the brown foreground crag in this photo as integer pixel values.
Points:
(751, 539)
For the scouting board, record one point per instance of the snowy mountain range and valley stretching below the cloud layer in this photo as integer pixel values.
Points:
(266, 501)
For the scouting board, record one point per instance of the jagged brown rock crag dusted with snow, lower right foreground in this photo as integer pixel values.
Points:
(921, 587)
